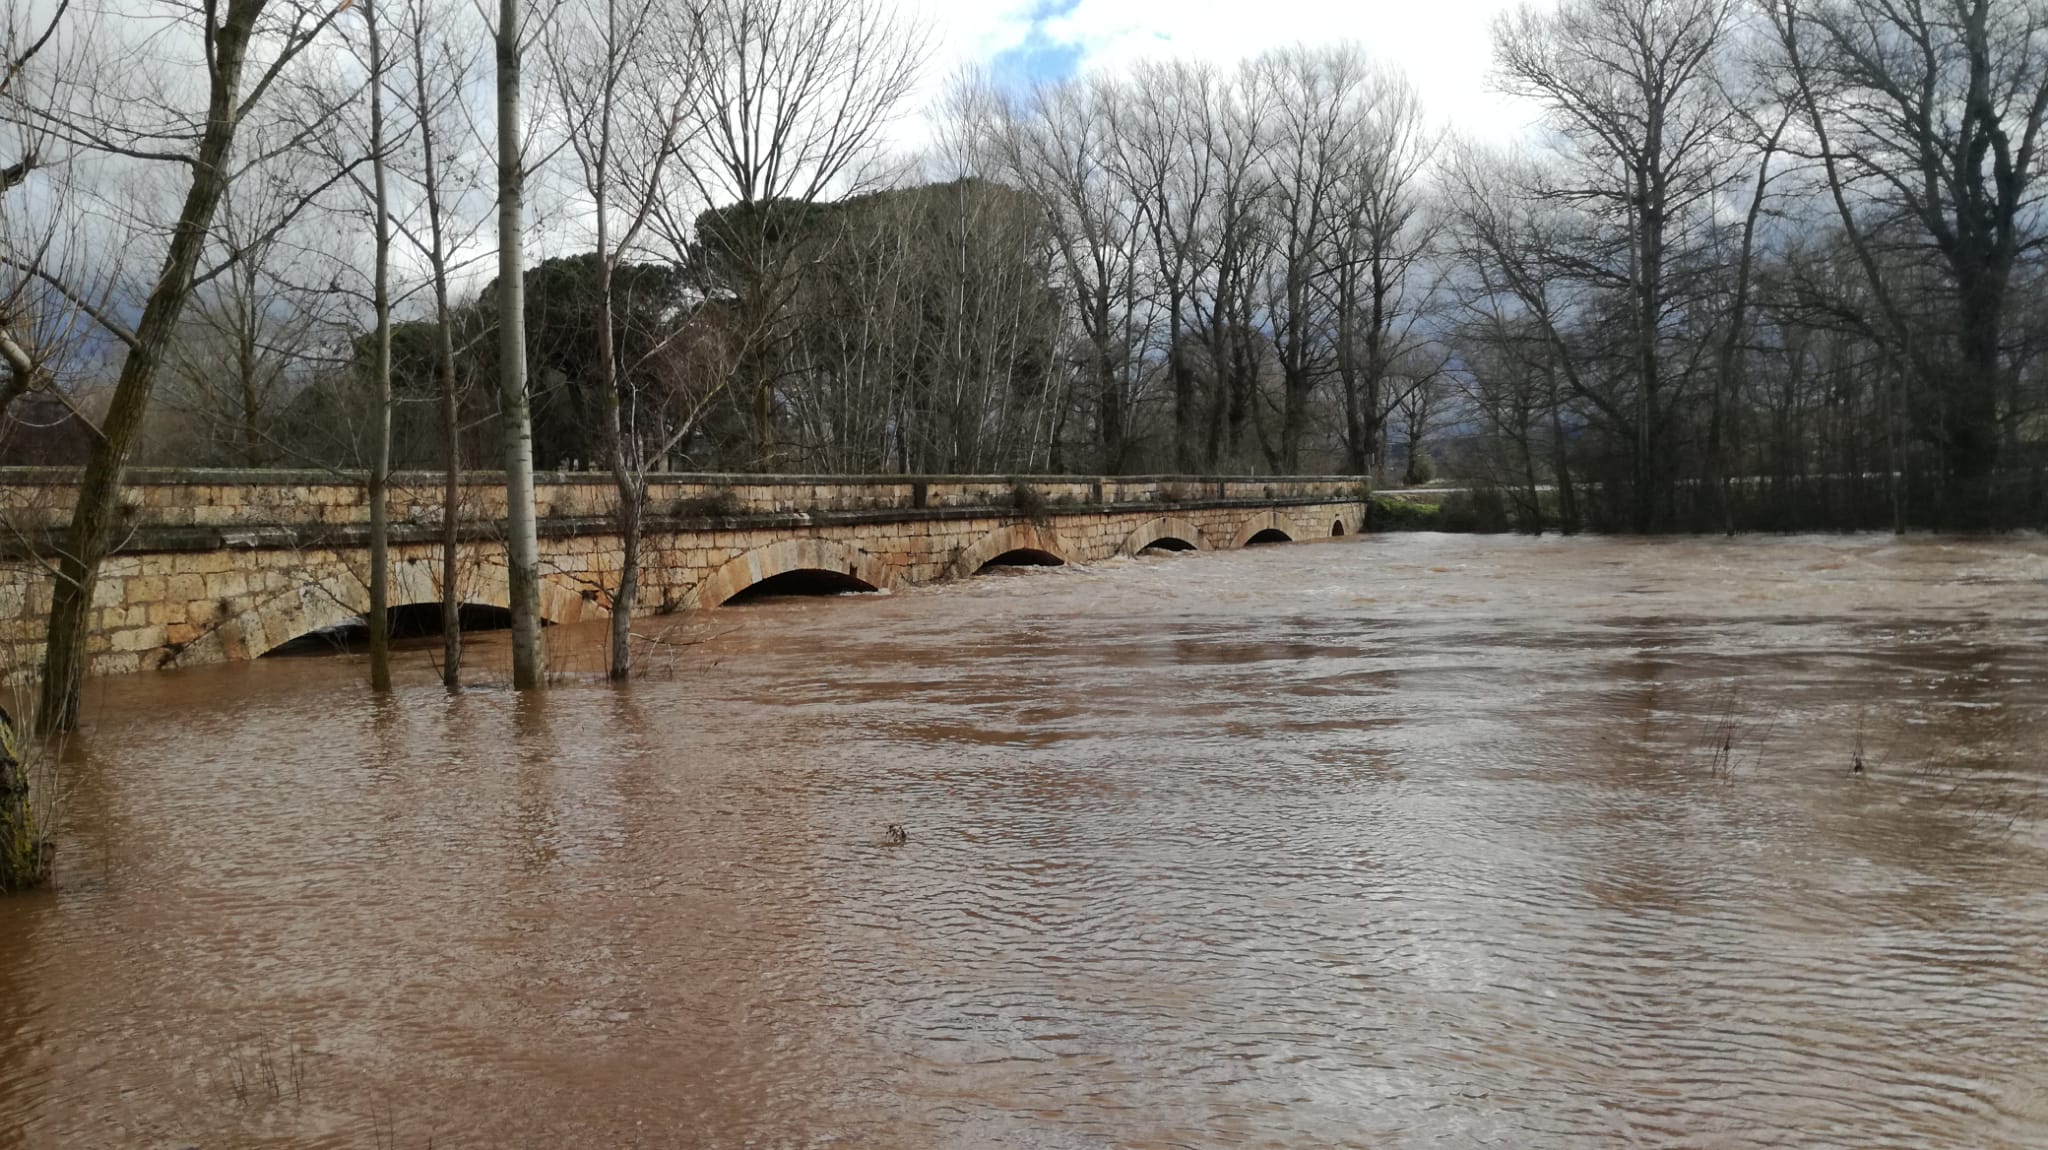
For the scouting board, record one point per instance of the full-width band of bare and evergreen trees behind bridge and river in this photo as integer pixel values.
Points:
(1758, 263)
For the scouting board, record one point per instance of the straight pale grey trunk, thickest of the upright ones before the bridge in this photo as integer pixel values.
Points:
(523, 545)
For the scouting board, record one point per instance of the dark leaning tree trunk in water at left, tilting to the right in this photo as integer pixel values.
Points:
(99, 488)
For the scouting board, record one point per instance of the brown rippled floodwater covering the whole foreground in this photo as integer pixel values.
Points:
(1377, 842)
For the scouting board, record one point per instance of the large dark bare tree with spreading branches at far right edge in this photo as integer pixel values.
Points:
(1926, 120)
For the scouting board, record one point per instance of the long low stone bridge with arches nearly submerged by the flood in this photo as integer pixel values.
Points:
(224, 566)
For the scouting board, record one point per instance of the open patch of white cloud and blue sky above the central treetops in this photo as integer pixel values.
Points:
(1443, 46)
